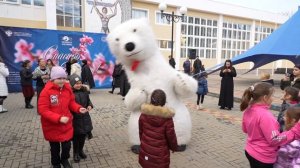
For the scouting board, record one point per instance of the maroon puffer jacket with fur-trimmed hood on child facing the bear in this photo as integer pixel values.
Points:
(157, 136)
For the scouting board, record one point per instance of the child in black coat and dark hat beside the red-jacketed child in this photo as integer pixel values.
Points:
(82, 123)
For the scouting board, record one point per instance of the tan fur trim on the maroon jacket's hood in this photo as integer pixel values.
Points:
(162, 112)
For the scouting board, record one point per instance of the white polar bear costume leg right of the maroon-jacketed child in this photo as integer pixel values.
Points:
(183, 125)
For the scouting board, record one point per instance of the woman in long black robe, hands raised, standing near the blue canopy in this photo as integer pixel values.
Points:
(226, 92)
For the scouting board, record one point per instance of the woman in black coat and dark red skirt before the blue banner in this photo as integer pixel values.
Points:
(26, 83)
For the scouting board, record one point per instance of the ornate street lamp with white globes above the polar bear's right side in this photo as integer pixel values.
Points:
(172, 18)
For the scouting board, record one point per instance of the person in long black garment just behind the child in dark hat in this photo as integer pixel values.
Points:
(86, 74)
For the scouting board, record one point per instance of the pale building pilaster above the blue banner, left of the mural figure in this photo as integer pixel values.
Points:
(50, 7)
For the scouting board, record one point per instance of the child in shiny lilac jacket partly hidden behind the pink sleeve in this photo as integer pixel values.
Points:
(289, 154)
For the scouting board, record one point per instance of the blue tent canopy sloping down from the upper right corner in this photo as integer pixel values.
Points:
(283, 43)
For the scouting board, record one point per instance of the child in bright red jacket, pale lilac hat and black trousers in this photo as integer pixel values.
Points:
(54, 105)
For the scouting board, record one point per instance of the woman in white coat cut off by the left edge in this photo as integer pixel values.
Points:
(3, 86)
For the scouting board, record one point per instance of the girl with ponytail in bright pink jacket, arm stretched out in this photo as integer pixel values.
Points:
(261, 127)
